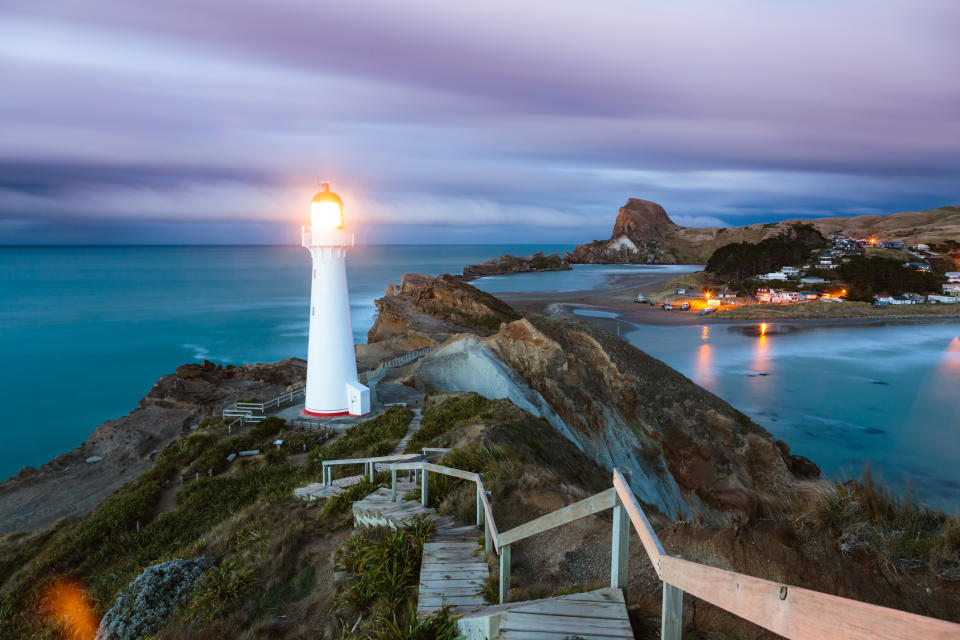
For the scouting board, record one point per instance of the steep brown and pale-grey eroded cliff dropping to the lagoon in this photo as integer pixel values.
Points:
(689, 452)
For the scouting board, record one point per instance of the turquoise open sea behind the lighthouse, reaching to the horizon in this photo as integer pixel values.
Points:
(86, 331)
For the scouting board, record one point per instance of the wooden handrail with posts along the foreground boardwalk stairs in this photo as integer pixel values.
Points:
(792, 612)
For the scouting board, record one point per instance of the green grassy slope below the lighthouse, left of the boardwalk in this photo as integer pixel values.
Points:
(105, 551)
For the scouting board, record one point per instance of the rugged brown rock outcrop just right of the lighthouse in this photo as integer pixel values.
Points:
(423, 311)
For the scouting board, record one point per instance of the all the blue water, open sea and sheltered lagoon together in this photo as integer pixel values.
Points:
(85, 332)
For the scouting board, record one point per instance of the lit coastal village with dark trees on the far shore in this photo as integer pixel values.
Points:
(820, 279)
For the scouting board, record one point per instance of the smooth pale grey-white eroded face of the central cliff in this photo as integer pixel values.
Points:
(467, 363)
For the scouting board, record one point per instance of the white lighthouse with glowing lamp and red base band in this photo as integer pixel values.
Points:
(333, 388)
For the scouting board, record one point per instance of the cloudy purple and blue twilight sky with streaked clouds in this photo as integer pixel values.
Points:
(208, 121)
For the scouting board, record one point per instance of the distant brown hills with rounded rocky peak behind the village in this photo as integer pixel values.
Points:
(643, 233)
